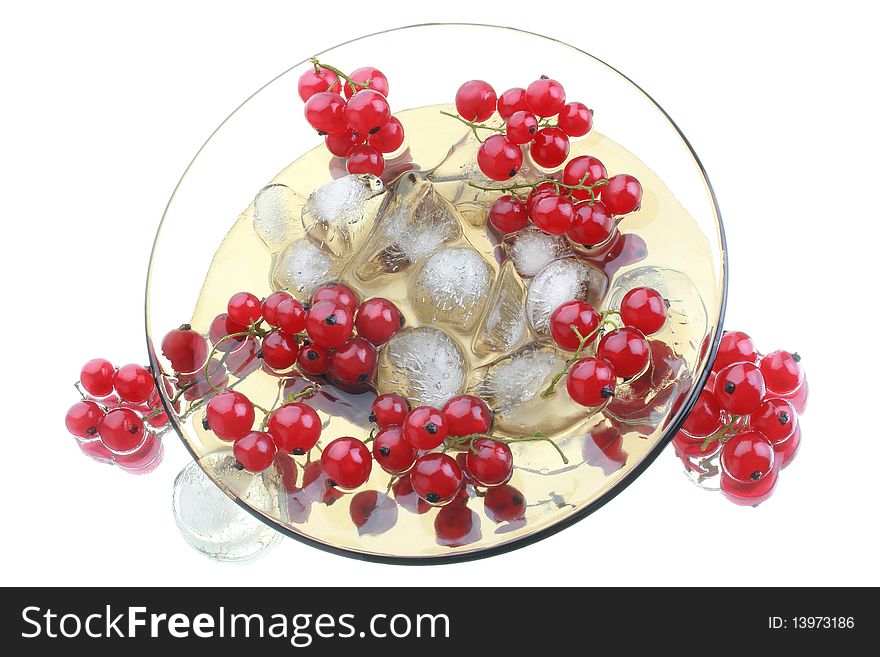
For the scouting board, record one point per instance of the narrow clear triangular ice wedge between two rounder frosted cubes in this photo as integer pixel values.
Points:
(503, 326)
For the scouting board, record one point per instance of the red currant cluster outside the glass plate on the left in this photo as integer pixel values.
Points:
(119, 417)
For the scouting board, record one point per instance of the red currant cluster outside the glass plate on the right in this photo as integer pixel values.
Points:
(747, 417)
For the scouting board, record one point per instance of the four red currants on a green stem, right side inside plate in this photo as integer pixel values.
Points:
(622, 352)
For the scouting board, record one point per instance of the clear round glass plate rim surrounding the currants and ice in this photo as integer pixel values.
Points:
(267, 132)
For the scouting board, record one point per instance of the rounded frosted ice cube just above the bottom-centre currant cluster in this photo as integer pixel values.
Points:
(425, 365)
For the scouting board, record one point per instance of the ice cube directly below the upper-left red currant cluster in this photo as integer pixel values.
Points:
(340, 214)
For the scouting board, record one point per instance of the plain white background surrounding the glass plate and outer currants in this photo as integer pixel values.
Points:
(104, 104)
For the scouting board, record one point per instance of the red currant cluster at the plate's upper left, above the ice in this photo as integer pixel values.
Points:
(358, 126)
